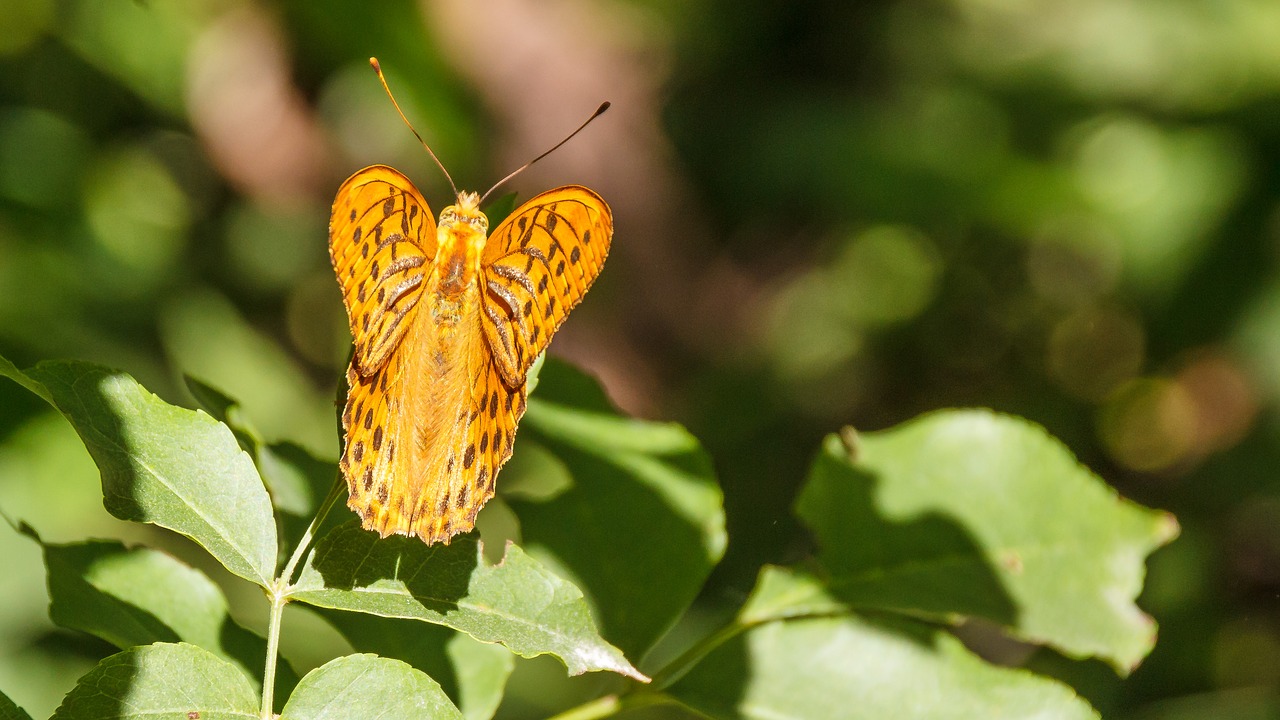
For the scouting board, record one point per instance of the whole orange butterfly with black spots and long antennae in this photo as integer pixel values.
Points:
(447, 322)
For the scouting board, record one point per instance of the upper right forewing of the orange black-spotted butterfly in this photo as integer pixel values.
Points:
(537, 267)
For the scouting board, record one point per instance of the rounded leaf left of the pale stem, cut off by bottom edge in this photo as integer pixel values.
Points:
(162, 682)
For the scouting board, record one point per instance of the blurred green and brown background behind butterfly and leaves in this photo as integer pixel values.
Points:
(828, 213)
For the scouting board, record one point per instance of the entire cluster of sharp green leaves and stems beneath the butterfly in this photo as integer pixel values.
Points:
(949, 522)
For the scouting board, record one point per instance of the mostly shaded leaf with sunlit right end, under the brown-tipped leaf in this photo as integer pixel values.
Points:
(474, 675)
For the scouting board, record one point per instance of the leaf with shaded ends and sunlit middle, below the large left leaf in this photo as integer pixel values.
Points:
(141, 596)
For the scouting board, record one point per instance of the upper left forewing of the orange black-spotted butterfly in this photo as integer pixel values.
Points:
(382, 241)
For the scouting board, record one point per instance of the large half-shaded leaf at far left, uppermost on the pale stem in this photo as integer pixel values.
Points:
(161, 464)
